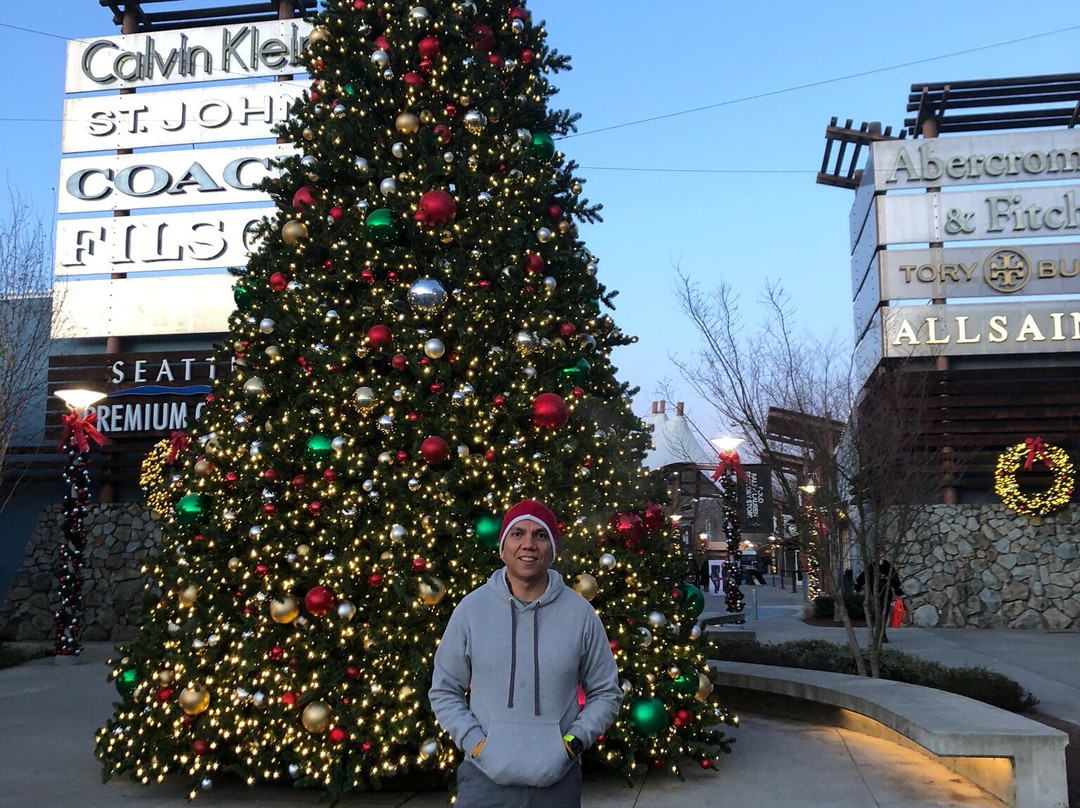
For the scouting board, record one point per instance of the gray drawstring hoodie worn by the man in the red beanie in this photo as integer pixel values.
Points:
(524, 663)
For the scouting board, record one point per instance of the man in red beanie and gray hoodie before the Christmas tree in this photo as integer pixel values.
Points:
(523, 643)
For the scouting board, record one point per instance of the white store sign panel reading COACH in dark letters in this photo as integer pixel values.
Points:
(168, 179)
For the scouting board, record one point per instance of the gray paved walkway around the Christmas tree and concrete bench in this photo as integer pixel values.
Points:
(49, 715)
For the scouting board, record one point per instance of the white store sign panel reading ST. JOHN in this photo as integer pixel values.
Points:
(177, 118)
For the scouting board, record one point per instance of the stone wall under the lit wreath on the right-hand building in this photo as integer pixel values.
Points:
(989, 568)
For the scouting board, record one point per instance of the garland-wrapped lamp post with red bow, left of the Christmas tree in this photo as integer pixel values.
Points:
(79, 430)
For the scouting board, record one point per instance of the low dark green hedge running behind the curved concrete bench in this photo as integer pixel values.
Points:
(819, 655)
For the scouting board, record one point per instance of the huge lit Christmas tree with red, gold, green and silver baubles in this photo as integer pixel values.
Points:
(418, 344)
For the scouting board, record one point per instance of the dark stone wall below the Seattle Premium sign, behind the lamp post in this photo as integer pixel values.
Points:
(121, 540)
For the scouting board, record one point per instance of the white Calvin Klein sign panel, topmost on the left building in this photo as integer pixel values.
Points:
(187, 56)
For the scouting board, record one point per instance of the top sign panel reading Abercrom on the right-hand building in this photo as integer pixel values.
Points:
(995, 159)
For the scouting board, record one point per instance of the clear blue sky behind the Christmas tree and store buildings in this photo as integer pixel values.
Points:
(723, 193)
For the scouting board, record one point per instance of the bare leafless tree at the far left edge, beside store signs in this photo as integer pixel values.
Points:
(25, 306)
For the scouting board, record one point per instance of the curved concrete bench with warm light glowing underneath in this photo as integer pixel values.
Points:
(1017, 760)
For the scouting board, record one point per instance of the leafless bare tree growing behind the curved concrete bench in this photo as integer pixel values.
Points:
(845, 456)
